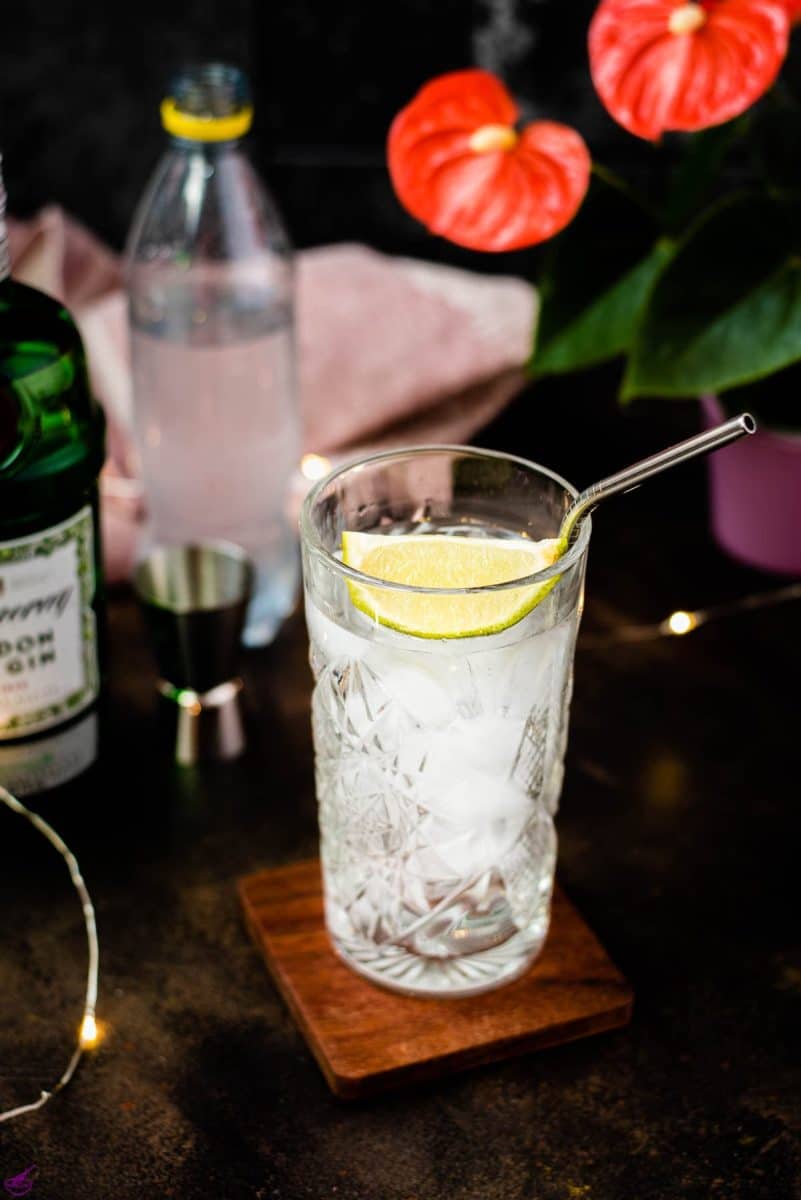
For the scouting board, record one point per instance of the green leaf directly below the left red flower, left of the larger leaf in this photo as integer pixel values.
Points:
(595, 283)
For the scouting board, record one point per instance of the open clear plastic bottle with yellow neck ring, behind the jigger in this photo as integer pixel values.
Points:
(209, 273)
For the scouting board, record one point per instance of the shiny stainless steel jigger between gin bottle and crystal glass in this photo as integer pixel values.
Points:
(195, 599)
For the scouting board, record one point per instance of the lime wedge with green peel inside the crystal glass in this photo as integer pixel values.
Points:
(432, 561)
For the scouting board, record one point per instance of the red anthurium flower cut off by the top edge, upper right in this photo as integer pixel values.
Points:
(664, 65)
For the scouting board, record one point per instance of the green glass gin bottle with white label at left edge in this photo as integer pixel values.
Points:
(52, 445)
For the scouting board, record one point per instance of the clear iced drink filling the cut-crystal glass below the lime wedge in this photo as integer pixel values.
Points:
(439, 767)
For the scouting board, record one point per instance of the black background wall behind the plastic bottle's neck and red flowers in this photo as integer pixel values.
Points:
(81, 83)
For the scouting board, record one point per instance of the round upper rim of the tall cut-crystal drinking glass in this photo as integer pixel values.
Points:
(315, 544)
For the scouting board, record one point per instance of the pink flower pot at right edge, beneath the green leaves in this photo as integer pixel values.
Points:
(756, 496)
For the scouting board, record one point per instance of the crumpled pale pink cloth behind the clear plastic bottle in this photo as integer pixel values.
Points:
(393, 351)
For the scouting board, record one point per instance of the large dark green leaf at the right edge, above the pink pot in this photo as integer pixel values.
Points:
(727, 310)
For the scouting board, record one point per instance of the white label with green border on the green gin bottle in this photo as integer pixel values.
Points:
(49, 638)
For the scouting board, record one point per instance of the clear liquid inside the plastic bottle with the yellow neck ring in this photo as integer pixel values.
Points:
(218, 435)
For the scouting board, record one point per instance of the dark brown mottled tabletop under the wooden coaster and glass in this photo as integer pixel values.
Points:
(679, 842)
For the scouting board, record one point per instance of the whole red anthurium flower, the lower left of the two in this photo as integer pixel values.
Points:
(461, 167)
